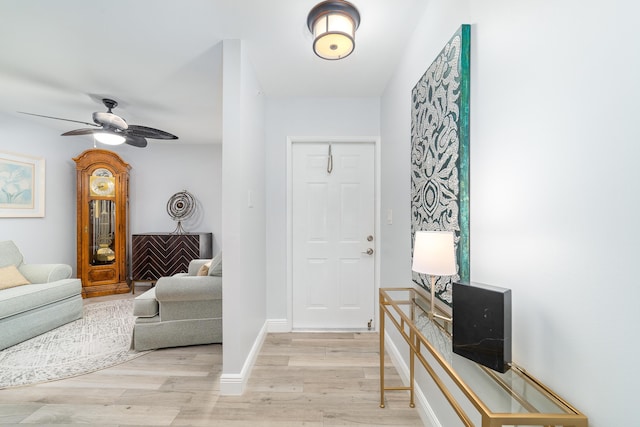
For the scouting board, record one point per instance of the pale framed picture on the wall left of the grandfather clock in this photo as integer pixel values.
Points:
(21, 186)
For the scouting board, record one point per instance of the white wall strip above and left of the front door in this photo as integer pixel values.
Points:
(301, 117)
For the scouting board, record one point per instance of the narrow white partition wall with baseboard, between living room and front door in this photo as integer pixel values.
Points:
(243, 217)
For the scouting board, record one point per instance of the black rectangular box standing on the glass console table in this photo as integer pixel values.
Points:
(482, 324)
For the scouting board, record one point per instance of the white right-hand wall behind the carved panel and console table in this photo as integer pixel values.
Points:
(554, 183)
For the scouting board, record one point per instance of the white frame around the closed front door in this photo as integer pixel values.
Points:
(333, 140)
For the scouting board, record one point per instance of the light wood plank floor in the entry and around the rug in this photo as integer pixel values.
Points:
(300, 379)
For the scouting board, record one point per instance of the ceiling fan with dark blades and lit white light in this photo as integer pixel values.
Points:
(112, 129)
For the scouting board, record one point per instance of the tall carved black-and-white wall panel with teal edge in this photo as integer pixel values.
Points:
(440, 154)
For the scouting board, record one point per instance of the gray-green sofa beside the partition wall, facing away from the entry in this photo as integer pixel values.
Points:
(184, 309)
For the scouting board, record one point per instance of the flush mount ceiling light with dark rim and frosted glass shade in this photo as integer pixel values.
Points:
(333, 24)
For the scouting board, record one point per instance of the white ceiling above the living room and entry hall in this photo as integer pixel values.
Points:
(160, 59)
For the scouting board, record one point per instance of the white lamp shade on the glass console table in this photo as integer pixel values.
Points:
(434, 253)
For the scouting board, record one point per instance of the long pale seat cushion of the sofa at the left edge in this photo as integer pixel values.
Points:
(28, 297)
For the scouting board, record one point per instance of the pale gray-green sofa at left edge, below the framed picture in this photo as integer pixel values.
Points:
(51, 299)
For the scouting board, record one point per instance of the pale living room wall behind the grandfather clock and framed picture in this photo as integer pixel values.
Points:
(157, 172)
